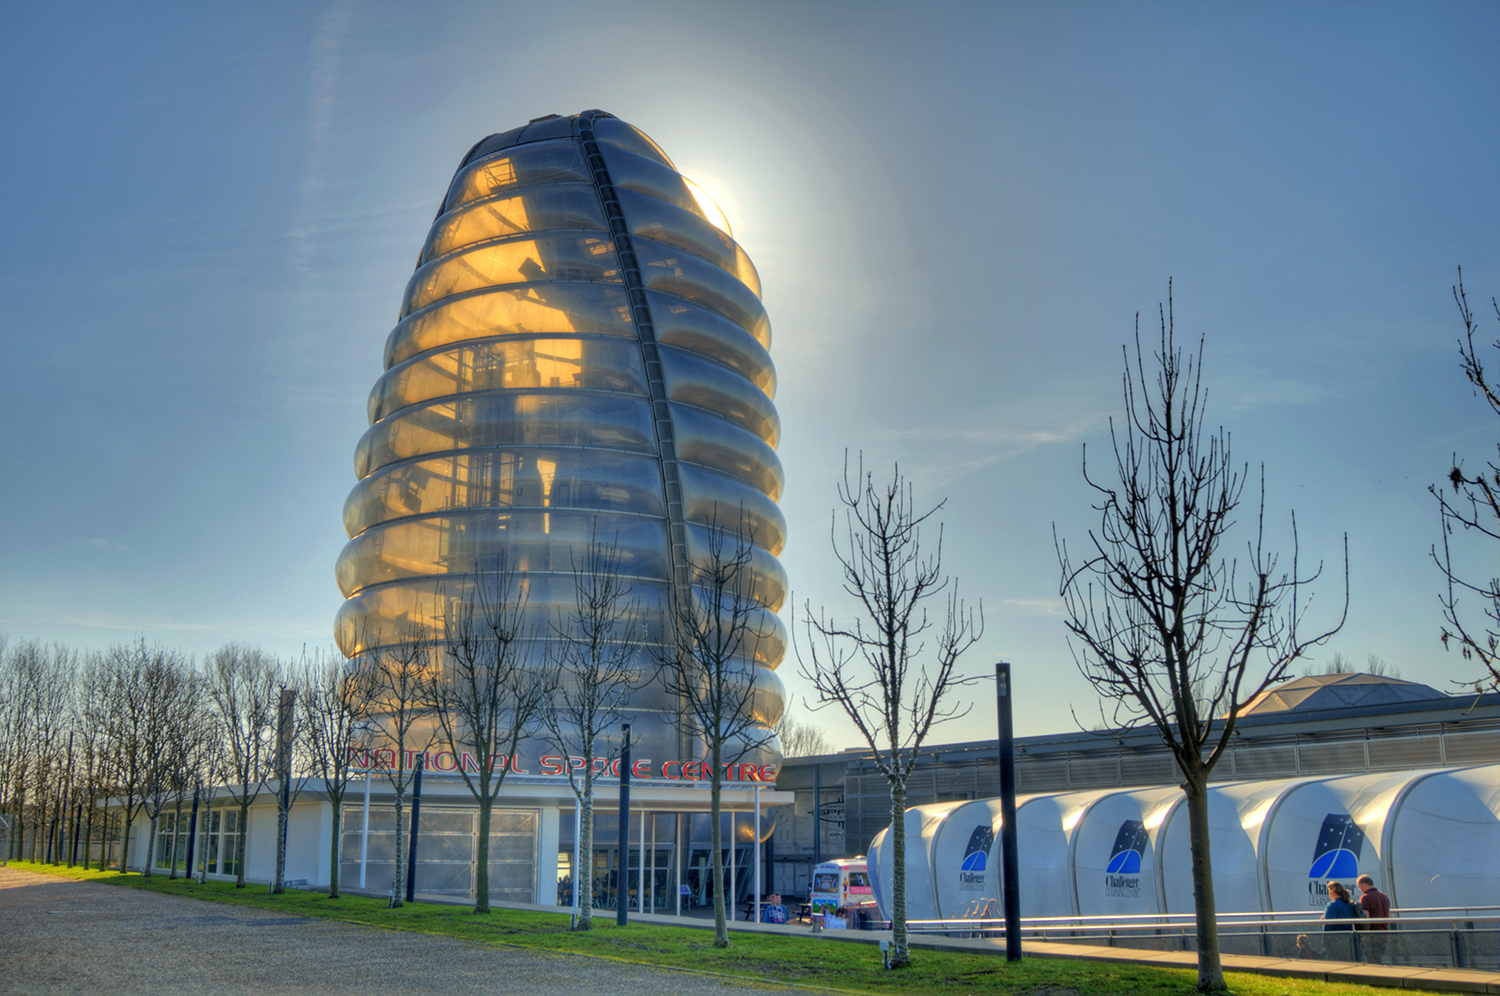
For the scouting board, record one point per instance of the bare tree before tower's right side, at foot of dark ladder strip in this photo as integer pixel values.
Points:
(712, 673)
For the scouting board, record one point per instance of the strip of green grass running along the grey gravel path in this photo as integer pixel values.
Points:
(763, 958)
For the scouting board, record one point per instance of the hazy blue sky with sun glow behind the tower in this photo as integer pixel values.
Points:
(956, 211)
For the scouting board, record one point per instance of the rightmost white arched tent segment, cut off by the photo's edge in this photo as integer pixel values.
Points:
(1445, 841)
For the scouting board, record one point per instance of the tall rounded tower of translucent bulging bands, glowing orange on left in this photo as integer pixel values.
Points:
(583, 347)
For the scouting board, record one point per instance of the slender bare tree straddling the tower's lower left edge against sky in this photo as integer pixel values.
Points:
(335, 713)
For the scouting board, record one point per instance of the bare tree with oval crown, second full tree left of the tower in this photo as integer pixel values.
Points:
(242, 683)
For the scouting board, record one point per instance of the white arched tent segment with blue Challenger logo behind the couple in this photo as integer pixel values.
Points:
(1328, 832)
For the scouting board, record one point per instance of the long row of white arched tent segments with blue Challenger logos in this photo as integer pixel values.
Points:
(1427, 838)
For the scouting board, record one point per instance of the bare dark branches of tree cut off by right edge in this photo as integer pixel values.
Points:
(1474, 508)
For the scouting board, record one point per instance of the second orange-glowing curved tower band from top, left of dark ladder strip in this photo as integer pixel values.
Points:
(557, 206)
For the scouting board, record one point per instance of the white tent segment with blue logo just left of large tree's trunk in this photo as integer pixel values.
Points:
(1115, 856)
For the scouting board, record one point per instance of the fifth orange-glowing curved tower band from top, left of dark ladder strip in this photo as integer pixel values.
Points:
(607, 365)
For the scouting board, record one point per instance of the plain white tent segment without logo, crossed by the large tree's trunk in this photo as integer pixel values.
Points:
(1235, 818)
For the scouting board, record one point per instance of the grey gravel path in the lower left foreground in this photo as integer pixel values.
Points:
(65, 937)
